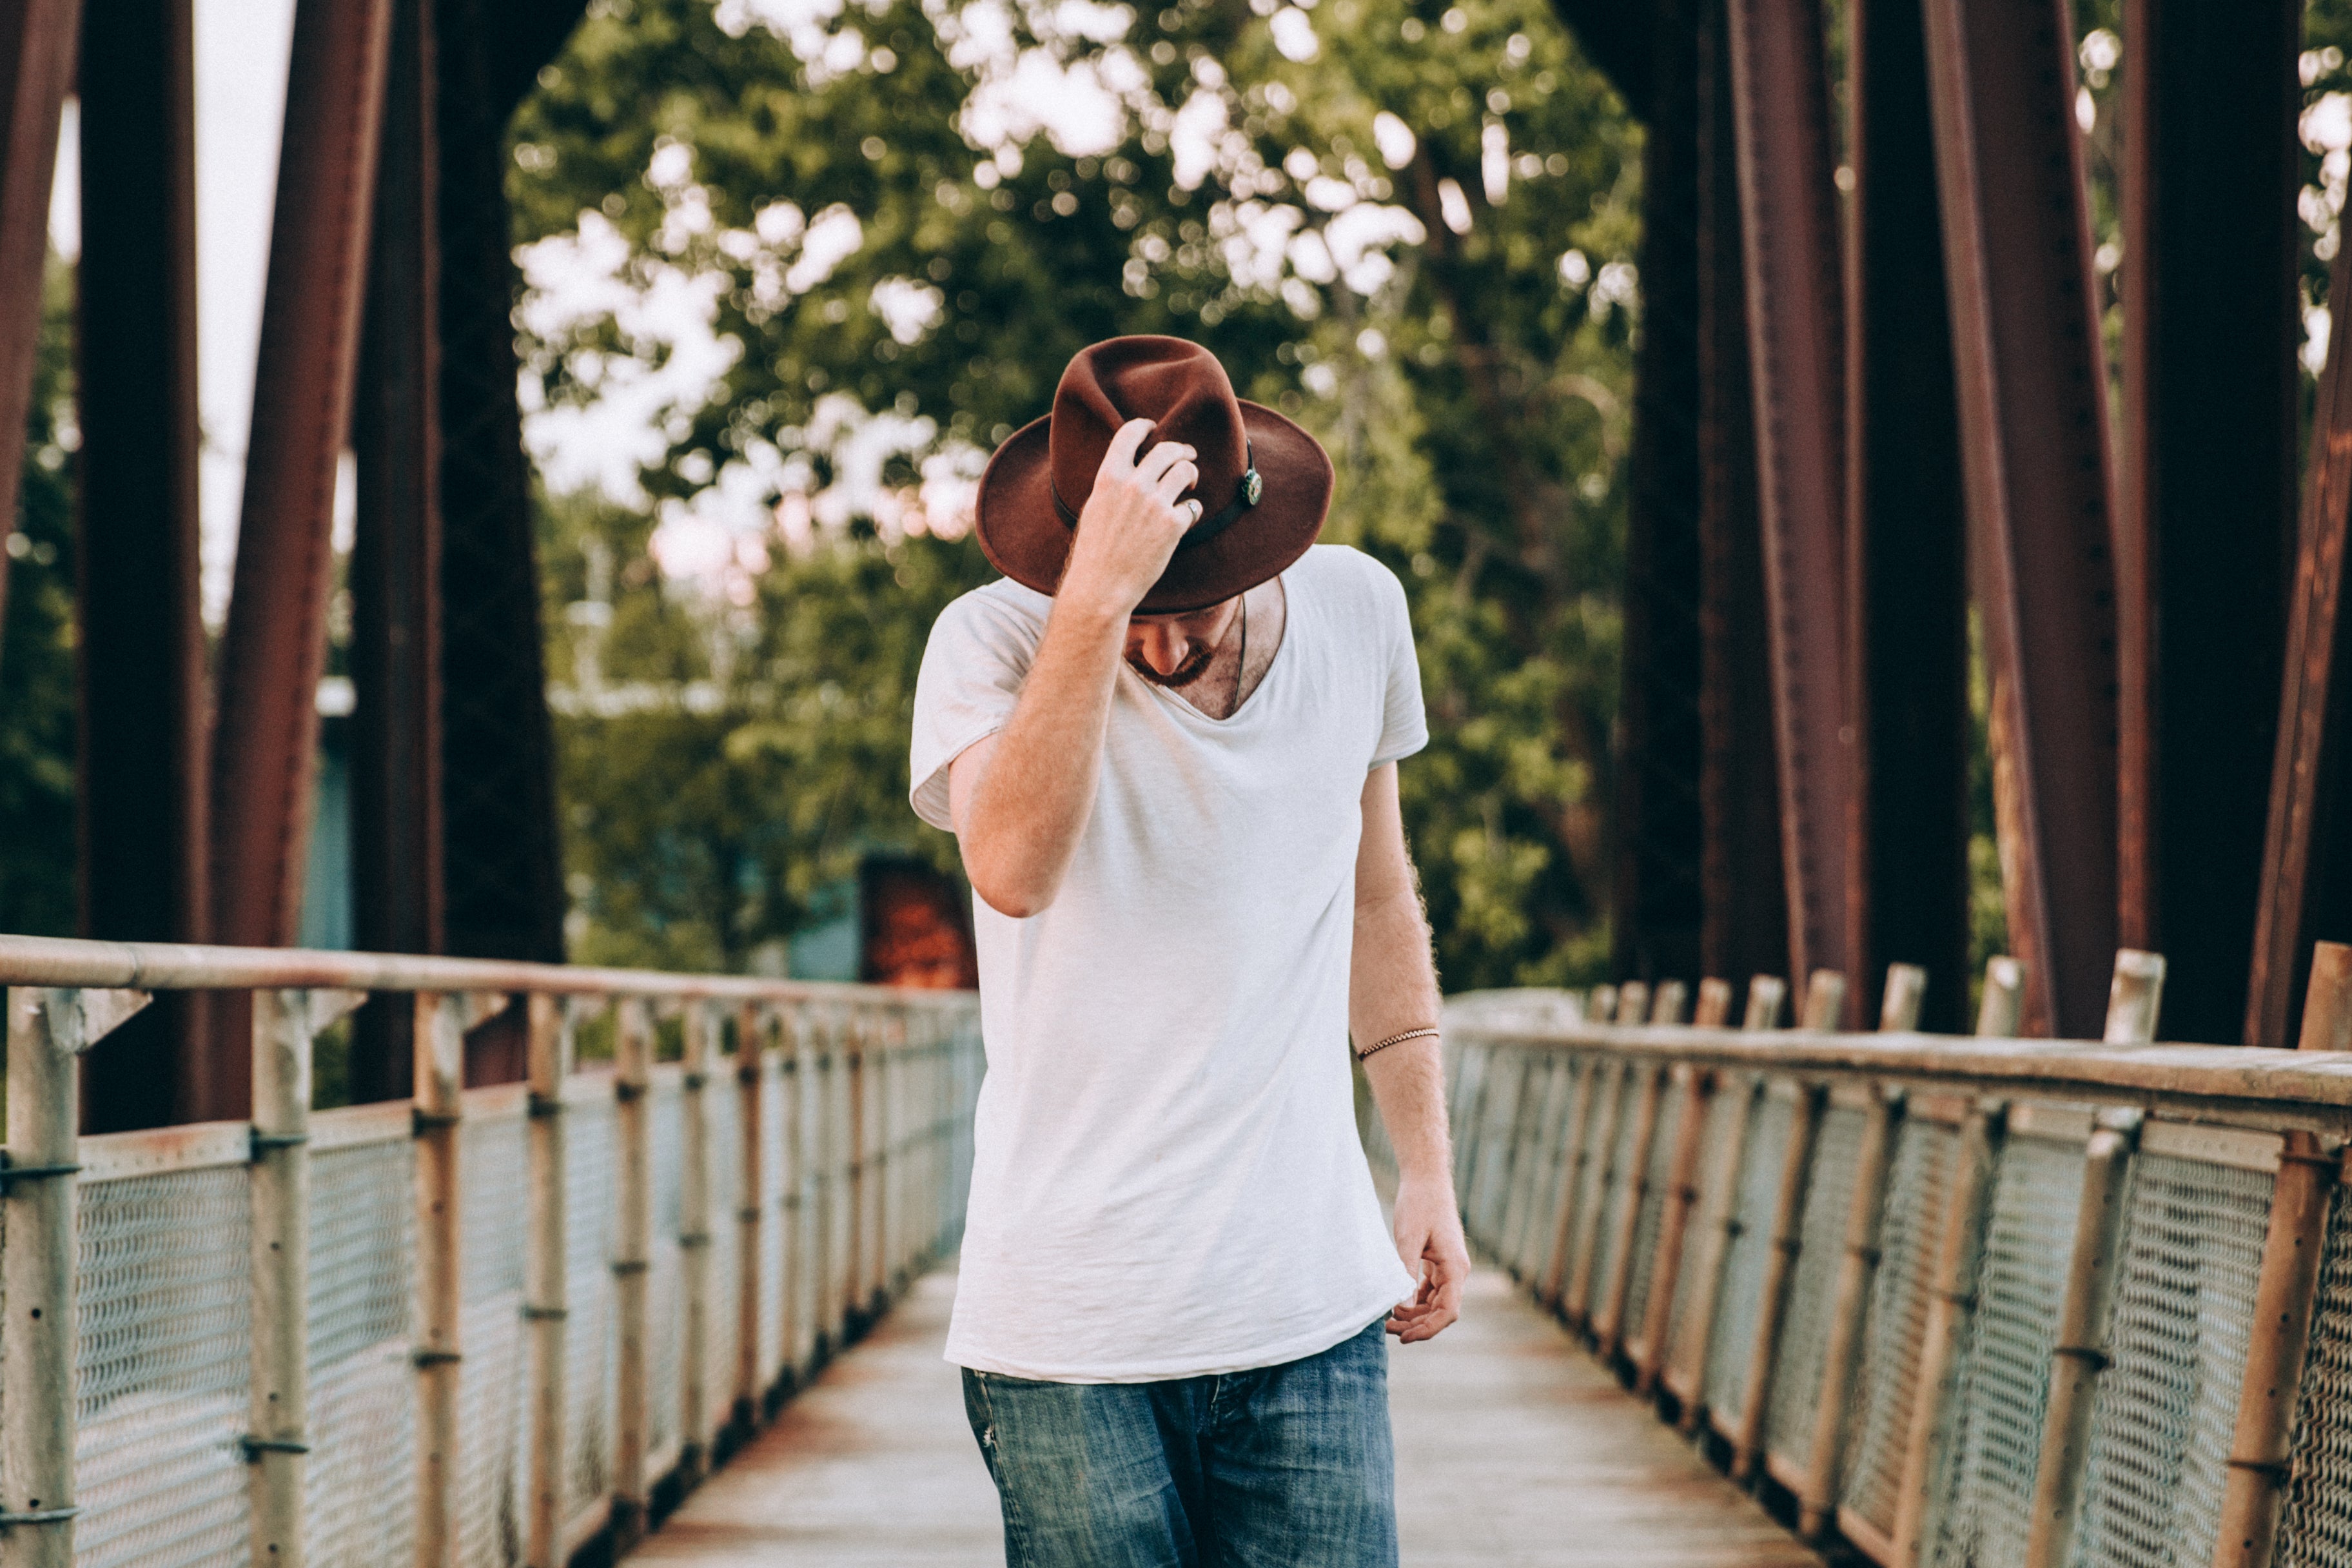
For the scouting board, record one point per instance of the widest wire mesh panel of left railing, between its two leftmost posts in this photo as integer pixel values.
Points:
(163, 1372)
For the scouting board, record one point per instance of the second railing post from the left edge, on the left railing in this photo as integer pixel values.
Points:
(279, 1428)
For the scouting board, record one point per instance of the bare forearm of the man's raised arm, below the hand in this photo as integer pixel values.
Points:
(1038, 782)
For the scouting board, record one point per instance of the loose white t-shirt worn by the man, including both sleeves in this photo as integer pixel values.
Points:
(1168, 1179)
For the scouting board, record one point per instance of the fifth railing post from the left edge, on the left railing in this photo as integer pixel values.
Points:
(632, 1264)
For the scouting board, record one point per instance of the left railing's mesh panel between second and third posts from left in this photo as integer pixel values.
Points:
(363, 1383)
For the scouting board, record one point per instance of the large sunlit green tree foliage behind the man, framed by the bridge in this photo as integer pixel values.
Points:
(834, 255)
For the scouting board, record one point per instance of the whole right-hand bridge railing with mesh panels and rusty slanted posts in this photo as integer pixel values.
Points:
(1982, 1304)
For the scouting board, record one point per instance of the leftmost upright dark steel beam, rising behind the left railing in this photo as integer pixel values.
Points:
(142, 641)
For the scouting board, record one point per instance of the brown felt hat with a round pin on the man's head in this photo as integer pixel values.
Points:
(1264, 483)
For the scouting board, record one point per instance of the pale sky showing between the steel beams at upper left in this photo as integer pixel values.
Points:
(241, 74)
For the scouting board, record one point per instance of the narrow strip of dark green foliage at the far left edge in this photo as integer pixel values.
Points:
(36, 650)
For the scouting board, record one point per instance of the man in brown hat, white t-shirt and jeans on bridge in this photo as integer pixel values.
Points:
(1168, 746)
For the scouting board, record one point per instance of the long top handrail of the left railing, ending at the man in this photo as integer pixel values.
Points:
(51, 960)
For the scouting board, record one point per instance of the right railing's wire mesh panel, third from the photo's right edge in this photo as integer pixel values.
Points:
(1993, 1442)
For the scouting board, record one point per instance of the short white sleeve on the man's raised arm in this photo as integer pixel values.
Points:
(973, 671)
